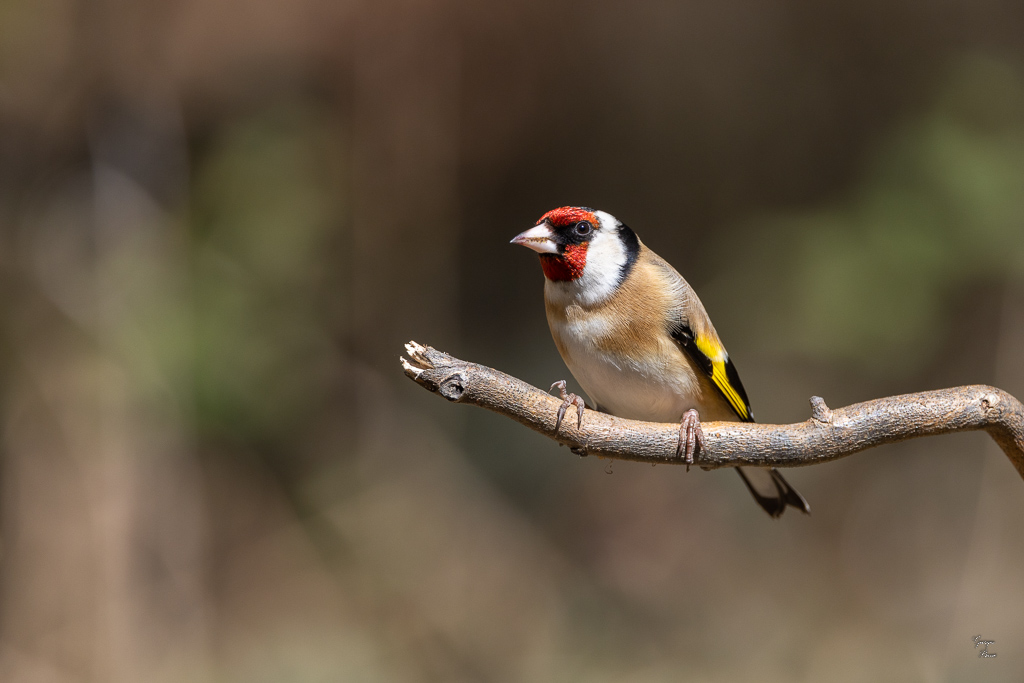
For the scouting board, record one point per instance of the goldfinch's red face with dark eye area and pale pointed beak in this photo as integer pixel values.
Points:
(562, 238)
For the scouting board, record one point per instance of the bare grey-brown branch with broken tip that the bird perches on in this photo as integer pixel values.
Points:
(829, 435)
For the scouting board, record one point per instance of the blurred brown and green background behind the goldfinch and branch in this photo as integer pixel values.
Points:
(221, 220)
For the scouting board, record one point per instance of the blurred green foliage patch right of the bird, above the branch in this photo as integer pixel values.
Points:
(940, 207)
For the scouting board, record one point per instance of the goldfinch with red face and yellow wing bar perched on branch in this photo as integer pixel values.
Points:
(637, 339)
